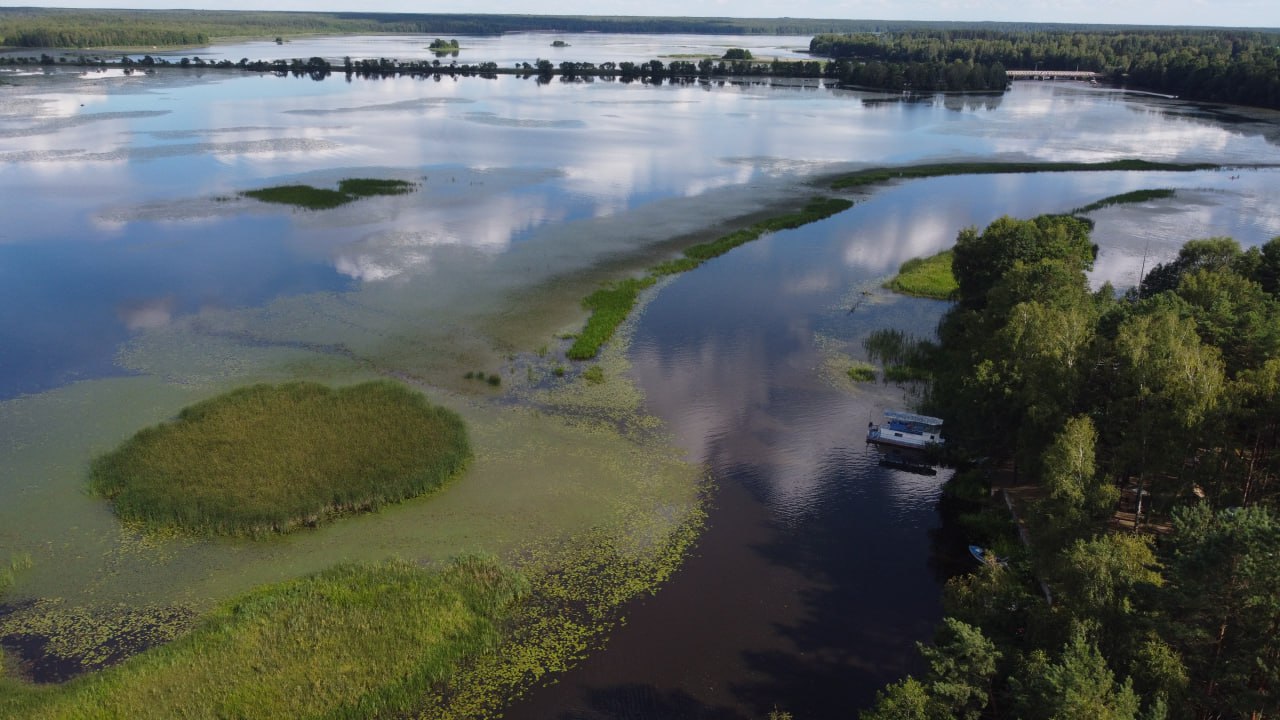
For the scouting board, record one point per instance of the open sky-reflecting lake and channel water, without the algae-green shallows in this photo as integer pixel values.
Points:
(820, 569)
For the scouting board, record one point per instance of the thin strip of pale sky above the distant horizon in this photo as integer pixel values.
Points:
(1229, 13)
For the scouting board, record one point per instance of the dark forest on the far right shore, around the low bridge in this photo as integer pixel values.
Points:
(1224, 66)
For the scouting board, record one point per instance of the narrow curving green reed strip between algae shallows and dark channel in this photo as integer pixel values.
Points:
(612, 304)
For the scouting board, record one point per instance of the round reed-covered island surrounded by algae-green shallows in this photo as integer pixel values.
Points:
(275, 458)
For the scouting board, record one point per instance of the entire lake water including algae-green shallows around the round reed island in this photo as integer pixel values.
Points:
(136, 280)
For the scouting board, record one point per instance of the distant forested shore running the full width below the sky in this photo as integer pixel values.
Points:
(1215, 65)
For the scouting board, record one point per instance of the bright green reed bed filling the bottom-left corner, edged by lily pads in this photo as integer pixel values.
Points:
(356, 641)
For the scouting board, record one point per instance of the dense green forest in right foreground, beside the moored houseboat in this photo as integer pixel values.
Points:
(1165, 403)
